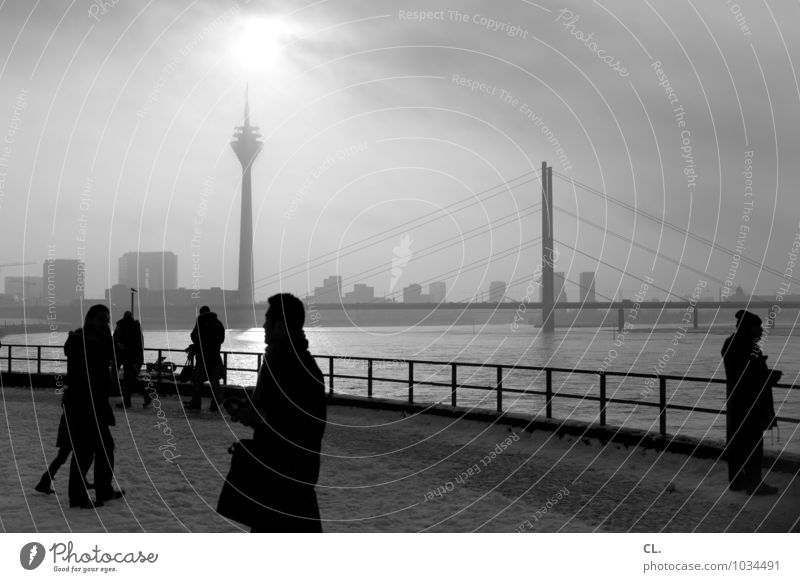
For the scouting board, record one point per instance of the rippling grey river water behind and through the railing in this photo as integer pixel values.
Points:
(665, 350)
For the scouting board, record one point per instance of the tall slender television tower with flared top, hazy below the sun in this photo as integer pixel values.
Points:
(246, 146)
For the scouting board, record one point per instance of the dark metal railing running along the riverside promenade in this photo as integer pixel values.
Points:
(501, 373)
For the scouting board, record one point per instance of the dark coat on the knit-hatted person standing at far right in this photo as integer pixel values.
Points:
(750, 409)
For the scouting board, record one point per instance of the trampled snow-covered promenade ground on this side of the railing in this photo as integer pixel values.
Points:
(383, 472)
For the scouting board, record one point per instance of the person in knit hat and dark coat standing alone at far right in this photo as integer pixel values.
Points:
(749, 410)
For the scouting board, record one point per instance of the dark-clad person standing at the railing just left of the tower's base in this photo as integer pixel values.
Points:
(207, 338)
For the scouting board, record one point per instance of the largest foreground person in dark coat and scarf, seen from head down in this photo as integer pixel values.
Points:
(288, 414)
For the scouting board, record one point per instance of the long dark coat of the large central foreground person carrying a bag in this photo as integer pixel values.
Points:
(290, 395)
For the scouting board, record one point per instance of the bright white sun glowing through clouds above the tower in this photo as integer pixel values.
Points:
(260, 42)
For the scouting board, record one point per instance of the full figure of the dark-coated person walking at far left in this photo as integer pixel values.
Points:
(87, 412)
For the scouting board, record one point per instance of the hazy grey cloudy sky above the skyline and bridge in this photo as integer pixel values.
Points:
(406, 135)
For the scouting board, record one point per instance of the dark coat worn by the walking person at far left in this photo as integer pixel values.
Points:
(89, 380)
